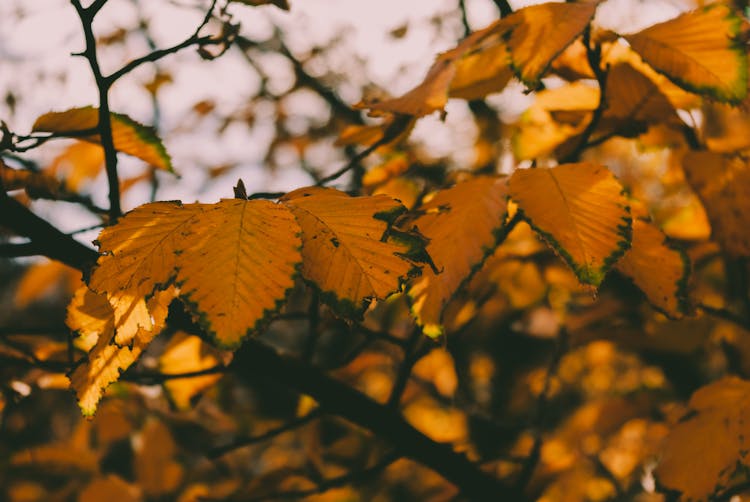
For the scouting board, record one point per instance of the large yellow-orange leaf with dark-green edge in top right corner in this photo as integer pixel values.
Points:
(700, 51)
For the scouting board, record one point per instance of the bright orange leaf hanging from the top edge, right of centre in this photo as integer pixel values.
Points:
(539, 33)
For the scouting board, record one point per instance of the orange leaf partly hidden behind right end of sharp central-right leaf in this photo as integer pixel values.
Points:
(659, 270)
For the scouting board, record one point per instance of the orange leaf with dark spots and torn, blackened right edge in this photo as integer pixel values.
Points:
(342, 245)
